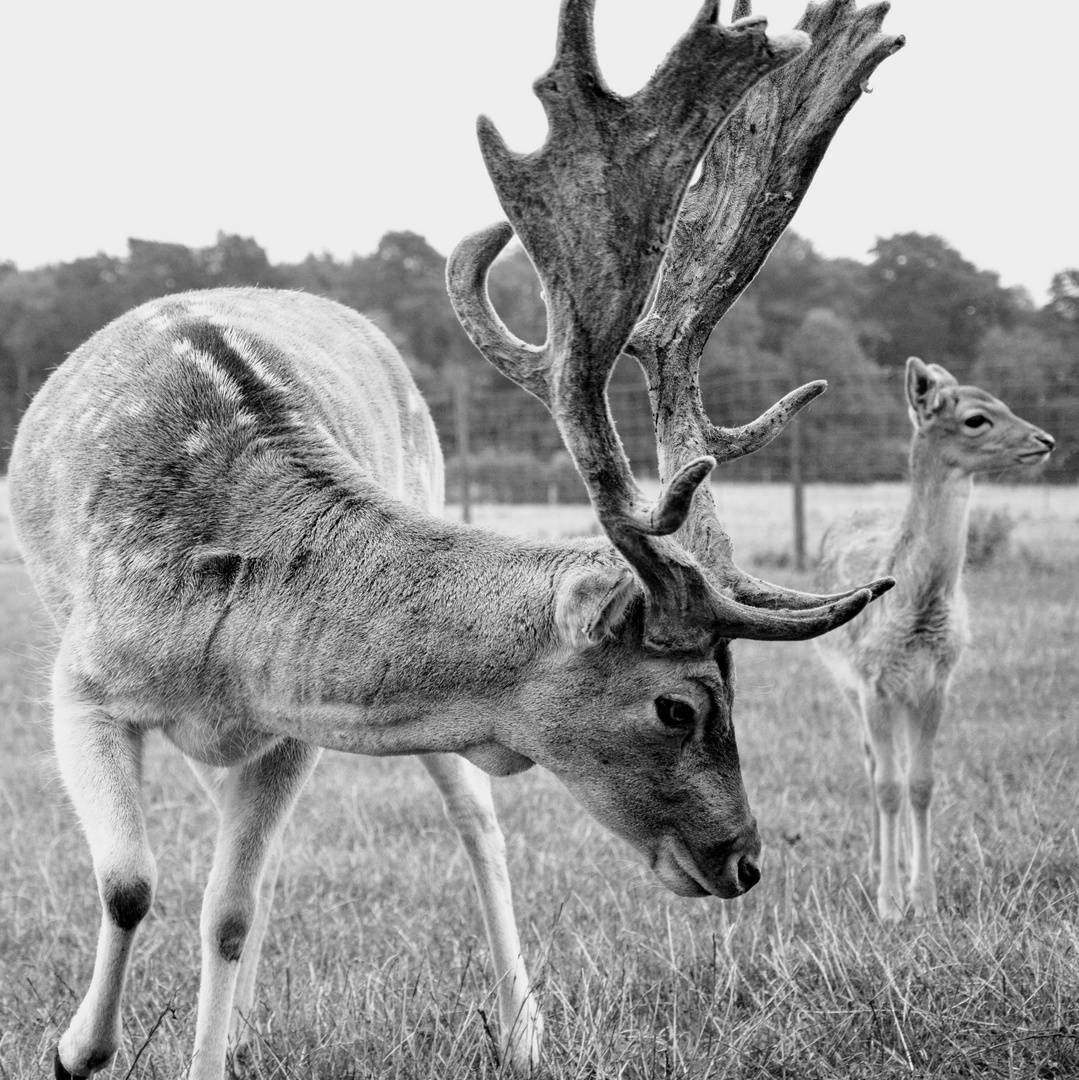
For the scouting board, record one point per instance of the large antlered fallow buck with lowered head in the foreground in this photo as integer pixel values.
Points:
(230, 503)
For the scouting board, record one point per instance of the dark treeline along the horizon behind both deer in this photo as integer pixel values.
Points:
(805, 317)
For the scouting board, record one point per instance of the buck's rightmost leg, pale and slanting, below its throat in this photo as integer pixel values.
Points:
(466, 792)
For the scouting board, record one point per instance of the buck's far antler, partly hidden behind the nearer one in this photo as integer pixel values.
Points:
(752, 182)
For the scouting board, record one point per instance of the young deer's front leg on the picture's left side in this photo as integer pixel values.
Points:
(881, 732)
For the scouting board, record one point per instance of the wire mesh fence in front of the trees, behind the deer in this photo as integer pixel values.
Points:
(847, 436)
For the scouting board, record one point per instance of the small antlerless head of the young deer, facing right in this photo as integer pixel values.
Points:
(968, 429)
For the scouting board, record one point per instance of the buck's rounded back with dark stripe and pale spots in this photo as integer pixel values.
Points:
(150, 442)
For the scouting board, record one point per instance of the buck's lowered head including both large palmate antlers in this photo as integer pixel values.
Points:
(598, 210)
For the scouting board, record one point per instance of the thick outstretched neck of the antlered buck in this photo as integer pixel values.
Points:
(409, 633)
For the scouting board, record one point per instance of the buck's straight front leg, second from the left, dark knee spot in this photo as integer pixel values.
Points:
(255, 801)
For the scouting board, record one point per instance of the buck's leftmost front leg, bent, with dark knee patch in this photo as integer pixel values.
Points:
(101, 763)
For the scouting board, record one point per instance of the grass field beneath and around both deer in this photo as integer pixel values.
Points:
(376, 962)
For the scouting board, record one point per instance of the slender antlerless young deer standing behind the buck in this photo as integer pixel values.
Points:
(895, 666)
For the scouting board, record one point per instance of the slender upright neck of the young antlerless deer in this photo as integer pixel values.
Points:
(933, 542)
